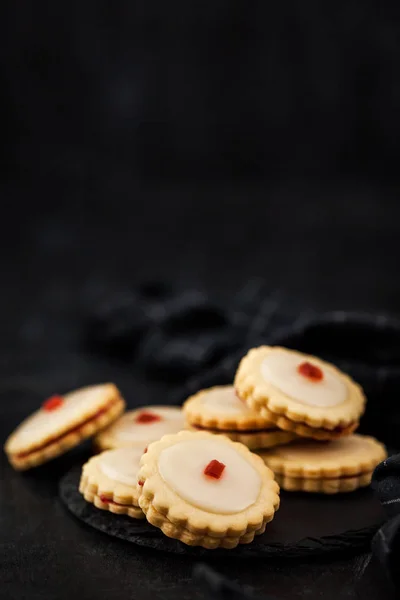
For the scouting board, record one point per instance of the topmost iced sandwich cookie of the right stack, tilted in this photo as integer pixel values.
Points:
(300, 393)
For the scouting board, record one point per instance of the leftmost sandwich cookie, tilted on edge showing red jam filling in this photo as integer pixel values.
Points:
(61, 423)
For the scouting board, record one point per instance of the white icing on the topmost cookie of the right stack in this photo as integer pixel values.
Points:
(280, 369)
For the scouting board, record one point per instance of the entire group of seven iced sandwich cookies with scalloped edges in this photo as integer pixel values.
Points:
(288, 420)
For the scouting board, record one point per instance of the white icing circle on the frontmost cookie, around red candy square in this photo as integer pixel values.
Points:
(182, 468)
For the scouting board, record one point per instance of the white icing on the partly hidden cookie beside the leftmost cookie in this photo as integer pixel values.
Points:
(127, 431)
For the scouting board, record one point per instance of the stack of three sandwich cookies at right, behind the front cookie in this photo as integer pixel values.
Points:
(299, 414)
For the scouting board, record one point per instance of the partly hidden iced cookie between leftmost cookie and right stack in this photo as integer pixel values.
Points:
(140, 427)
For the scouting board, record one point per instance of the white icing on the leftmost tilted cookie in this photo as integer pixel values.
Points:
(76, 407)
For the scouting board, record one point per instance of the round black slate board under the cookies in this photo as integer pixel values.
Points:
(305, 525)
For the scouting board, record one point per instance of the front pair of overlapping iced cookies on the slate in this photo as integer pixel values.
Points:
(199, 488)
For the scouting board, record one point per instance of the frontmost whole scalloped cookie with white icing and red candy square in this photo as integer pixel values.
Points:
(206, 490)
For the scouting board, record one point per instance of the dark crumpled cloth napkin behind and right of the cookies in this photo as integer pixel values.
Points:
(193, 340)
